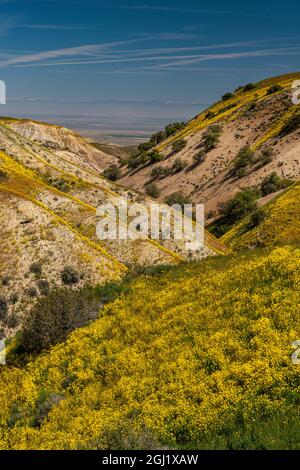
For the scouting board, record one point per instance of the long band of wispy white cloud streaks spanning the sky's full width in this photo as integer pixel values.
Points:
(151, 58)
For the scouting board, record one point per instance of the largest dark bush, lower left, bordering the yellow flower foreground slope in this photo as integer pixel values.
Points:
(53, 318)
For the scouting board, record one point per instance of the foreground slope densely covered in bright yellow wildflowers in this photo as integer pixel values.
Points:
(202, 359)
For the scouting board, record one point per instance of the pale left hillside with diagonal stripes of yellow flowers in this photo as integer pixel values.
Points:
(50, 187)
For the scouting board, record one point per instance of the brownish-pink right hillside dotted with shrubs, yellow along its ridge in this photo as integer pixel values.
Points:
(256, 117)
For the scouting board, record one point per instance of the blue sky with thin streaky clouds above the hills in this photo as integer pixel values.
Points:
(161, 59)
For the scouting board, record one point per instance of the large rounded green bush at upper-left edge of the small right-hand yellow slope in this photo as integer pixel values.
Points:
(240, 205)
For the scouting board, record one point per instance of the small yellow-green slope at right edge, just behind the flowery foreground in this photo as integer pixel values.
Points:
(281, 224)
